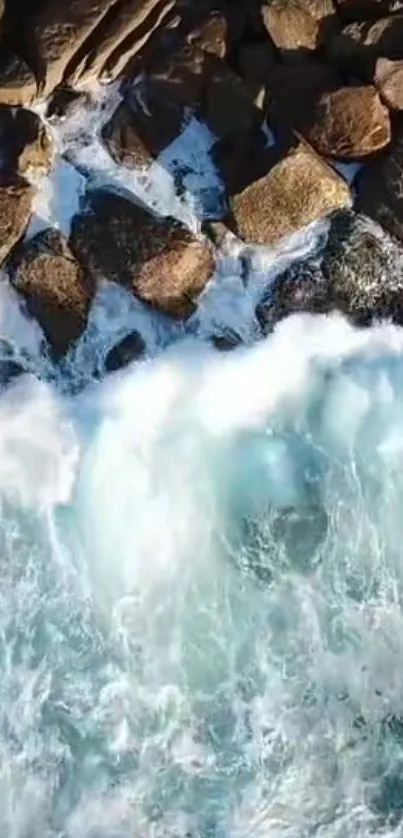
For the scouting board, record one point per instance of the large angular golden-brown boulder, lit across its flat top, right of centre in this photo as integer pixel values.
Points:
(298, 190)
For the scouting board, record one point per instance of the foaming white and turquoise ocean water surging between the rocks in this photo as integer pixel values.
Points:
(201, 568)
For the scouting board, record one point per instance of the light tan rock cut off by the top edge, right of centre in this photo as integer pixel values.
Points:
(300, 26)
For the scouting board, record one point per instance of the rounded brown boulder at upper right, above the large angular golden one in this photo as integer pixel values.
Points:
(349, 123)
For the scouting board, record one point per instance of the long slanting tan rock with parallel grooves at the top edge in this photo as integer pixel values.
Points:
(119, 37)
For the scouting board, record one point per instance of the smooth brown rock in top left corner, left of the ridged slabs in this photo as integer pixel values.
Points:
(60, 30)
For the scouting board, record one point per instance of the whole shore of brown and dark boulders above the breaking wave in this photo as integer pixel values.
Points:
(288, 90)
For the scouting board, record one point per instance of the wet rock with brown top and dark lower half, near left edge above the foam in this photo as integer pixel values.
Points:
(53, 284)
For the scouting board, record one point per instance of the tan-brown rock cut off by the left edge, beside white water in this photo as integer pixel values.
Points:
(16, 204)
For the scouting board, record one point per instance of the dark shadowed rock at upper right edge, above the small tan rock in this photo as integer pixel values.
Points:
(359, 45)
